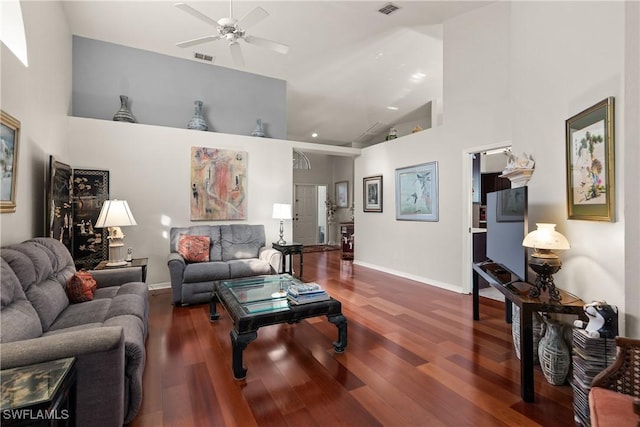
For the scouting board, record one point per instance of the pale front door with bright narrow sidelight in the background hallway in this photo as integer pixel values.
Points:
(309, 214)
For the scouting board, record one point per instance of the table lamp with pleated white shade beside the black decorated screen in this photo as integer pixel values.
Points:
(115, 214)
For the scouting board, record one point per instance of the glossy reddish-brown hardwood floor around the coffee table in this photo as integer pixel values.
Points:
(415, 358)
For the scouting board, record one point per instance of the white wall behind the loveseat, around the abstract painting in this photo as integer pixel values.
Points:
(149, 167)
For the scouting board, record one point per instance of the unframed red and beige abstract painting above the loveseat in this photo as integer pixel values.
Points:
(218, 184)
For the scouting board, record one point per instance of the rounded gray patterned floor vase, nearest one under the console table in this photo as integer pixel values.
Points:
(553, 352)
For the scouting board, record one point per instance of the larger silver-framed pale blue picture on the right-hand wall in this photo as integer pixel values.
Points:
(417, 192)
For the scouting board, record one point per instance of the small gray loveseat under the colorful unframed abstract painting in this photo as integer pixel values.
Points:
(236, 250)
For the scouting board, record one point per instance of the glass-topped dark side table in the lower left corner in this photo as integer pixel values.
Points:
(39, 395)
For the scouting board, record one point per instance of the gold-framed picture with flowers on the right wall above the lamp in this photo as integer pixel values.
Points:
(590, 163)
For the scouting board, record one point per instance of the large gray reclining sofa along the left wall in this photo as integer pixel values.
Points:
(106, 335)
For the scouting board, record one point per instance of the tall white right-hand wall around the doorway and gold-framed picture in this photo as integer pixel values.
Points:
(507, 80)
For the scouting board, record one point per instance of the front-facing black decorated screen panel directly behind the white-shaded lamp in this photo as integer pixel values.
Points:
(90, 190)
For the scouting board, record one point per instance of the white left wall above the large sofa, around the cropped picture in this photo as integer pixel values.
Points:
(40, 97)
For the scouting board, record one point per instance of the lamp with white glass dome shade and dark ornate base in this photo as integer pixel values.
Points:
(543, 261)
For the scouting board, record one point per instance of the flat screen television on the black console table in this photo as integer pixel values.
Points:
(506, 228)
